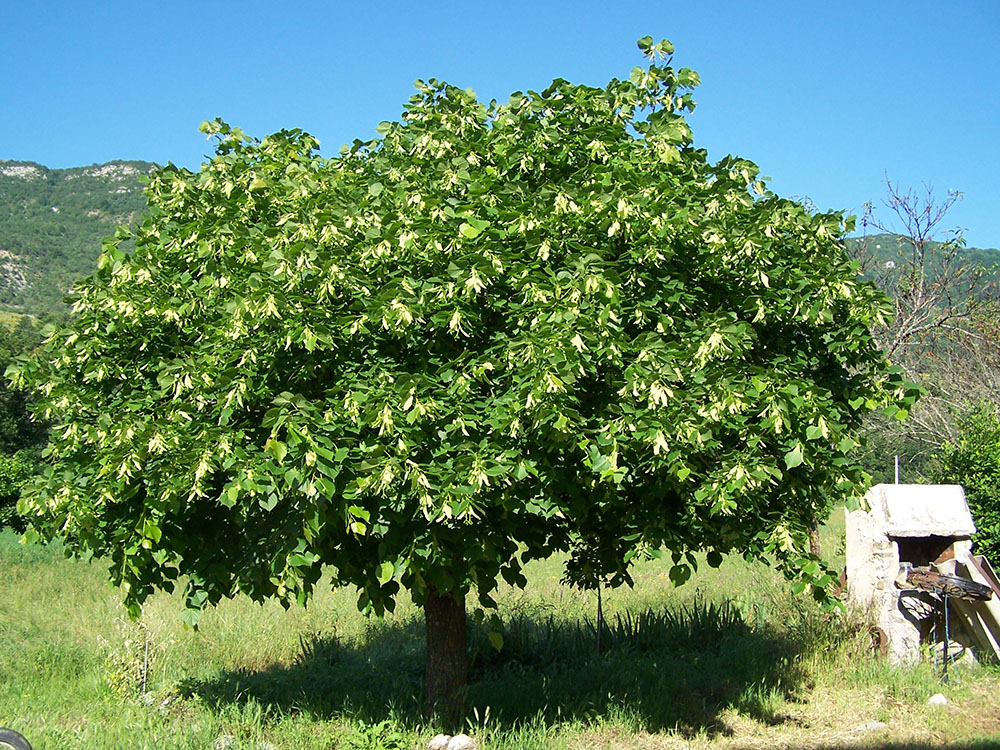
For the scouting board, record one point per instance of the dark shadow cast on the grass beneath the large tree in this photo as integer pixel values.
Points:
(659, 670)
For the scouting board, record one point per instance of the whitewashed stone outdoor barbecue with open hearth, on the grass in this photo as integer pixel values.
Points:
(905, 525)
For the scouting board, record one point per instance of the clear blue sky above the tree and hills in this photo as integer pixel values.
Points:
(827, 97)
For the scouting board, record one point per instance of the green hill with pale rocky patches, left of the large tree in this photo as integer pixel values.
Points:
(52, 222)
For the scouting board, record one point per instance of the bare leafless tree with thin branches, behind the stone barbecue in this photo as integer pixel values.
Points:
(939, 329)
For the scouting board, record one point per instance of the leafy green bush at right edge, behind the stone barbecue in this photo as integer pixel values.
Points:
(973, 461)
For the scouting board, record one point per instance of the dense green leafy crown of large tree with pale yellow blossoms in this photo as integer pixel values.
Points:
(495, 331)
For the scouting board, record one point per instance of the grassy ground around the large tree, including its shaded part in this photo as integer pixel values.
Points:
(729, 660)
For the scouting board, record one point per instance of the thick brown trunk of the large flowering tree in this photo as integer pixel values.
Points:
(447, 672)
